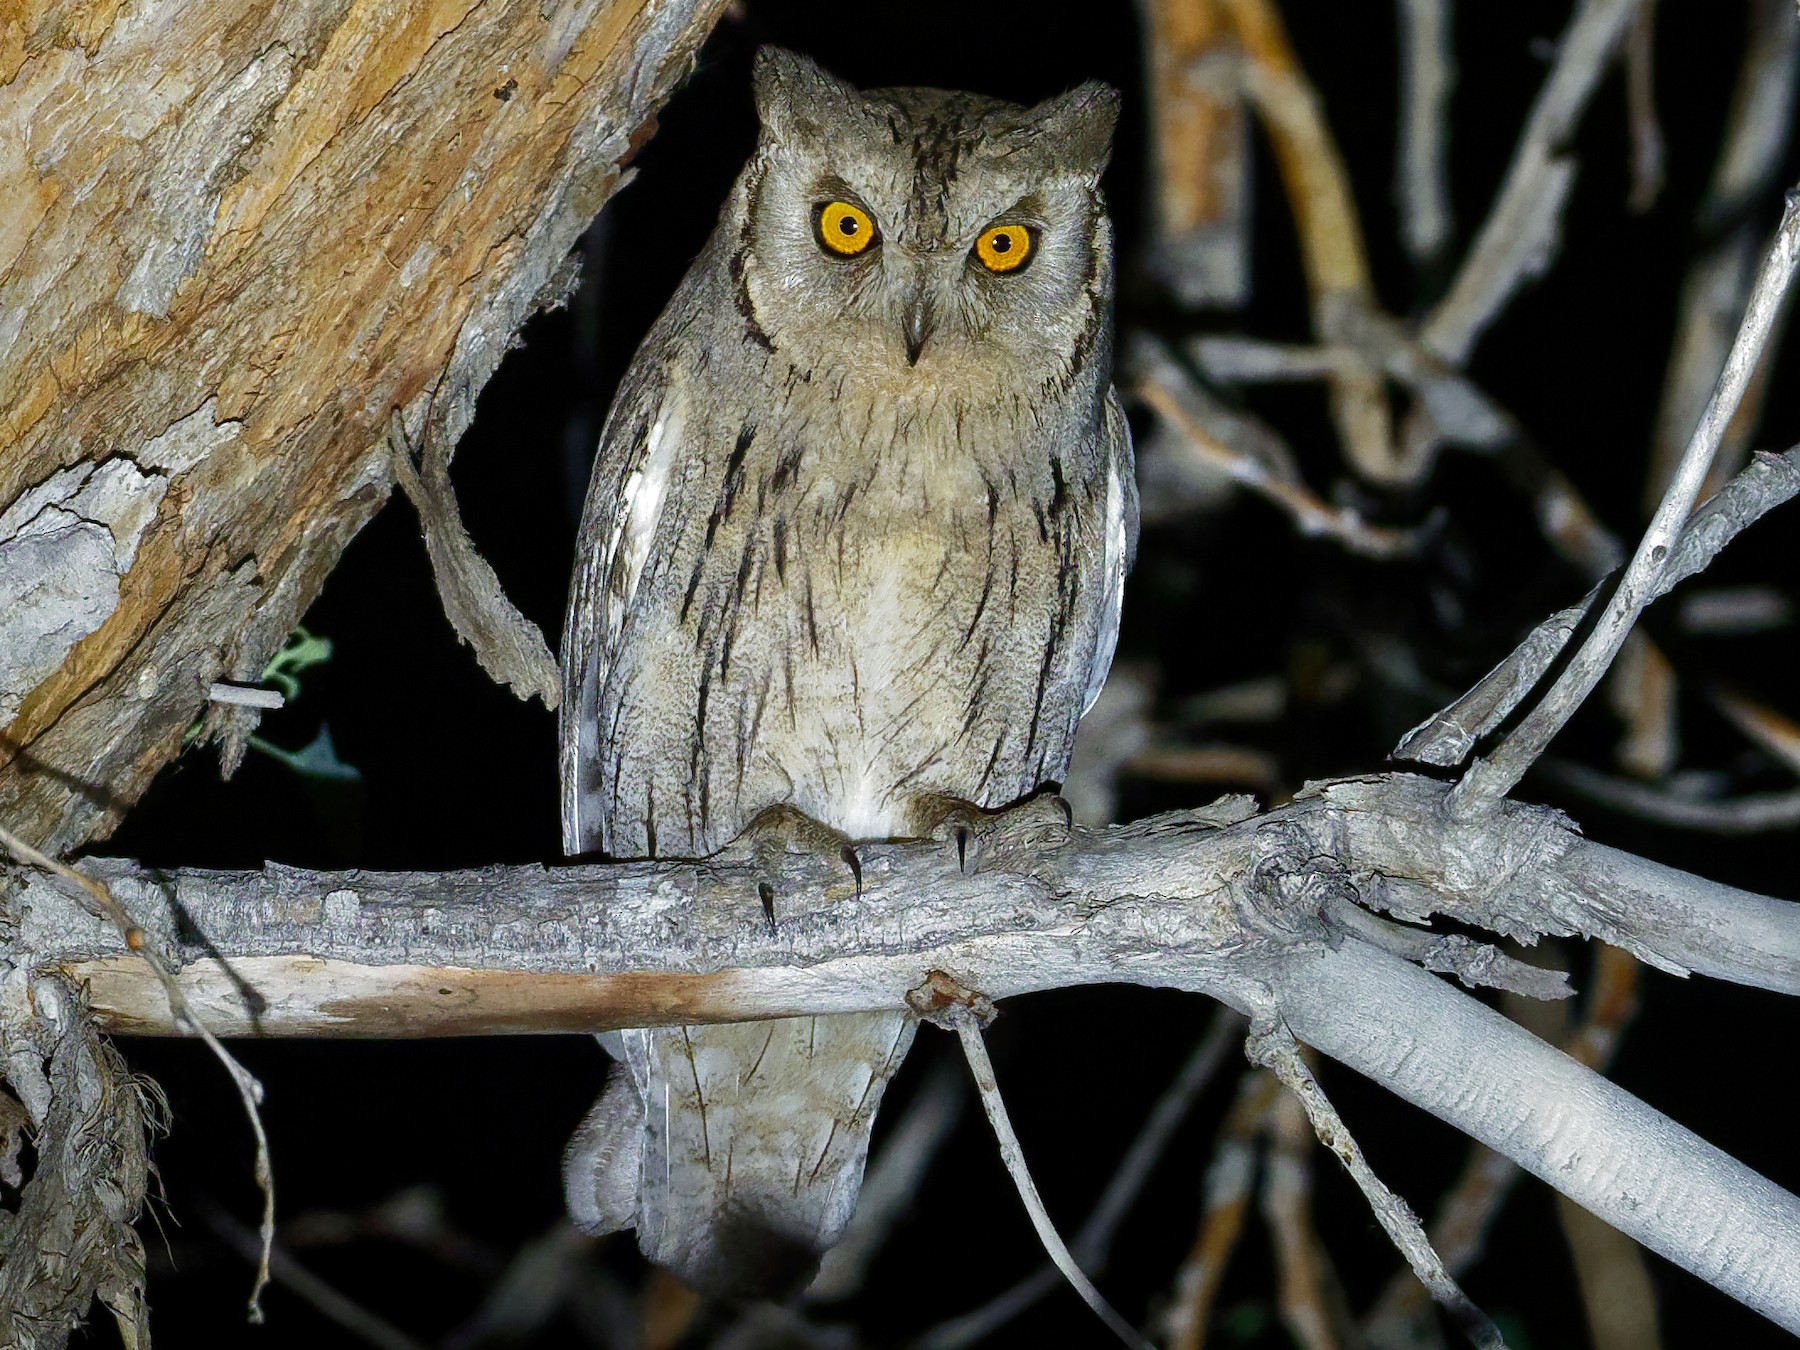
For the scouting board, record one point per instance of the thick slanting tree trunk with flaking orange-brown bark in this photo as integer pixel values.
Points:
(240, 244)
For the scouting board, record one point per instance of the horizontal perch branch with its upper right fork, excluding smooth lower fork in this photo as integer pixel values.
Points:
(1203, 901)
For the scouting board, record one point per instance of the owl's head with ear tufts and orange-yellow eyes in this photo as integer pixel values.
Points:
(921, 231)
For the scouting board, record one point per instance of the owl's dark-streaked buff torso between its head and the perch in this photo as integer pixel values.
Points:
(847, 602)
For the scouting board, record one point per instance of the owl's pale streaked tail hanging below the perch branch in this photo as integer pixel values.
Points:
(737, 1151)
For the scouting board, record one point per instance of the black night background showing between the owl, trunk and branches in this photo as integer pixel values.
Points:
(456, 773)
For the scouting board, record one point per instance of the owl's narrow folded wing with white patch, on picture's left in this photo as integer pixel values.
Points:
(640, 451)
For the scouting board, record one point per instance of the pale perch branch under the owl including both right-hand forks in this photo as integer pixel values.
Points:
(1223, 904)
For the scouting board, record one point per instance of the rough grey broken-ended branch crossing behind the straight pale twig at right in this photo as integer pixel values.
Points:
(1448, 737)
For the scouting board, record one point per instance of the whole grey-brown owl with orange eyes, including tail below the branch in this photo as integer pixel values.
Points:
(854, 550)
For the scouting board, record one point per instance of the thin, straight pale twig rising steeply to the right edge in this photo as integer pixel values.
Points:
(1493, 778)
